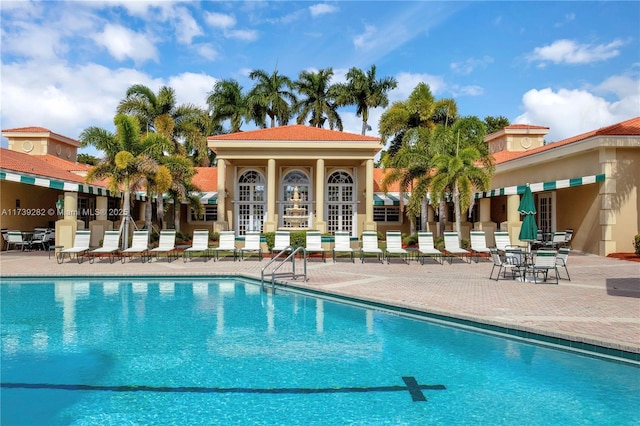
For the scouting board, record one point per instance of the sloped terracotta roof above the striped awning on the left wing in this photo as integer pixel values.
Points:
(37, 165)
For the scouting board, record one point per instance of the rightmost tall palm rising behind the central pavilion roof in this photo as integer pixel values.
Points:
(365, 92)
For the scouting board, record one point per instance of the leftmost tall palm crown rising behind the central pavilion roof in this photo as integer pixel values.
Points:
(226, 102)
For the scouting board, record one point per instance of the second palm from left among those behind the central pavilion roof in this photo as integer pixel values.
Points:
(271, 96)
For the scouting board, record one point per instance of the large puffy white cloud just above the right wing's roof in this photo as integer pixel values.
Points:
(571, 112)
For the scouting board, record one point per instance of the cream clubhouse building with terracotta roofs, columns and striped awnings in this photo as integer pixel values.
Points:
(298, 177)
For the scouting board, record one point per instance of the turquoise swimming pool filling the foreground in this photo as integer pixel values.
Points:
(221, 351)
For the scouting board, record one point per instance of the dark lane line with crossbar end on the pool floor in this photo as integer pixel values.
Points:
(415, 389)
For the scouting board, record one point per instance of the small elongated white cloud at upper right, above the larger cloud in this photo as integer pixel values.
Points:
(571, 52)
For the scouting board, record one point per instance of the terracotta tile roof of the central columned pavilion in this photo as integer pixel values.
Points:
(296, 132)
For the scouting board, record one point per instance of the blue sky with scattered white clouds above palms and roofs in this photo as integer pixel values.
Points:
(571, 66)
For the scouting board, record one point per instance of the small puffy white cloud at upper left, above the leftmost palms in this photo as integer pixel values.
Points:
(123, 43)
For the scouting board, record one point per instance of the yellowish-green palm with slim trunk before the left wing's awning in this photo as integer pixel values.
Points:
(127, 162)
